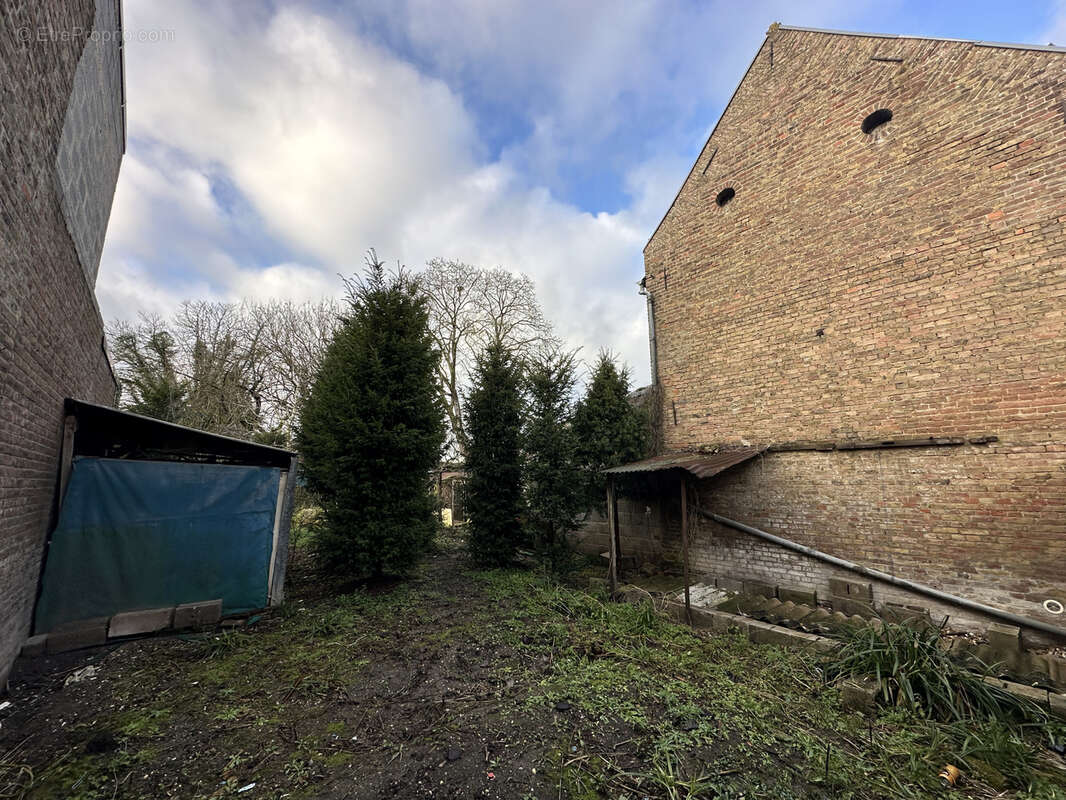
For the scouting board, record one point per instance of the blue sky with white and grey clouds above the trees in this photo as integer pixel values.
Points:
(271, 145)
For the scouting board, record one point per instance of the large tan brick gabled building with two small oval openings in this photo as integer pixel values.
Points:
(871, 251)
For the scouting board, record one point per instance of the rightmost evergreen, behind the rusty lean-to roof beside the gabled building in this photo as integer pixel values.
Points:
(610, 430)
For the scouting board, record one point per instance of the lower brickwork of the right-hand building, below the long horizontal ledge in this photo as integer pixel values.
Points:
(979, 522)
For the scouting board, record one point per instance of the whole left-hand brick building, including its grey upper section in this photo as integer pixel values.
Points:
(62, 138)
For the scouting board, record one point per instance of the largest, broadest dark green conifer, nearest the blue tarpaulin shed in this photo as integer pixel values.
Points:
(374, 428)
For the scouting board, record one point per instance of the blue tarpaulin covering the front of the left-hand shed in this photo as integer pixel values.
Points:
(137, 535)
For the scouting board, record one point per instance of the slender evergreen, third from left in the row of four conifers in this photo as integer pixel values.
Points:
(553, 478)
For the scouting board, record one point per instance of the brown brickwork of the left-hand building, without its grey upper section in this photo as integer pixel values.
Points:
(52, 337)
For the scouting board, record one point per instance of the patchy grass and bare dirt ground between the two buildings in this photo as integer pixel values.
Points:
(458, 684)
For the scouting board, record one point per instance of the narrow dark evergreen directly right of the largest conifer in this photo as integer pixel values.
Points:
(494, 458)
